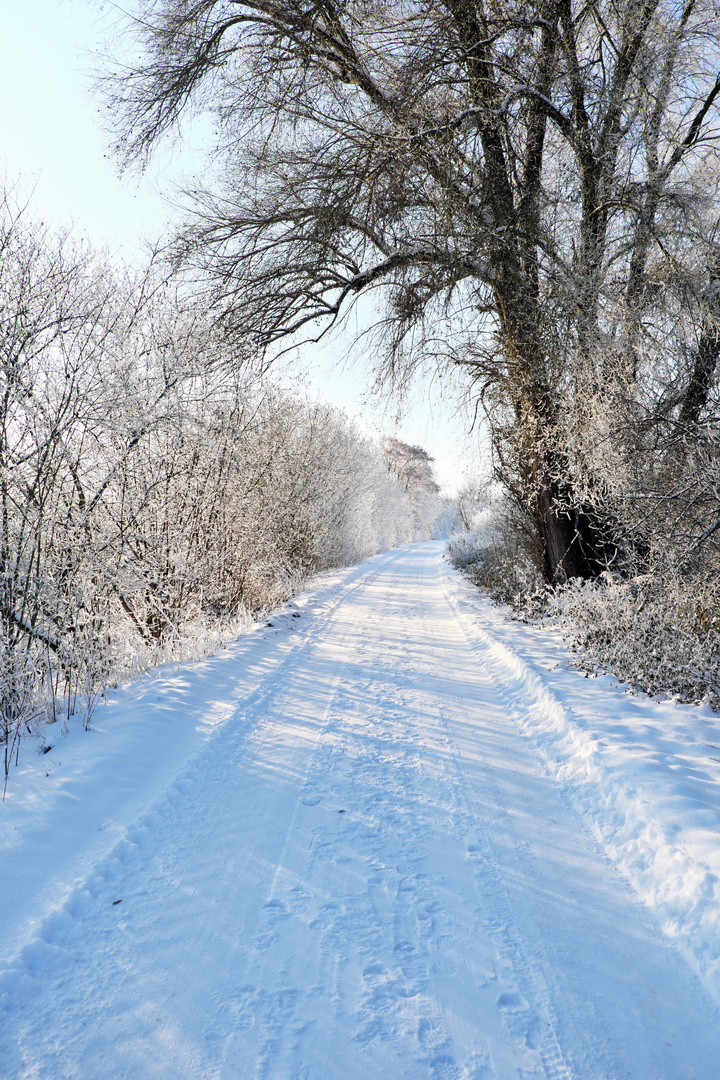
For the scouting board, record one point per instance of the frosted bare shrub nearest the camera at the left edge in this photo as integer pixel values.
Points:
(57, 313)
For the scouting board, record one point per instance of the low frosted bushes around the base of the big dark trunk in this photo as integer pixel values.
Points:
(659, 631)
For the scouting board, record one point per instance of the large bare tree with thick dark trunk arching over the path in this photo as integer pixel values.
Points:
(520, 182)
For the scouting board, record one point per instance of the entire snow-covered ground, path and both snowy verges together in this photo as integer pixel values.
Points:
(391, 835)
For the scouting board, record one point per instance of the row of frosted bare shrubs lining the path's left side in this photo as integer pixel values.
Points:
(154, 493)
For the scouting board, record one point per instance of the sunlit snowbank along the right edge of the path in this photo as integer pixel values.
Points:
(645, 775)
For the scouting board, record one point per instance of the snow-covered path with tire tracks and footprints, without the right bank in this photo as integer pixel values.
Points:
(363, 870)
